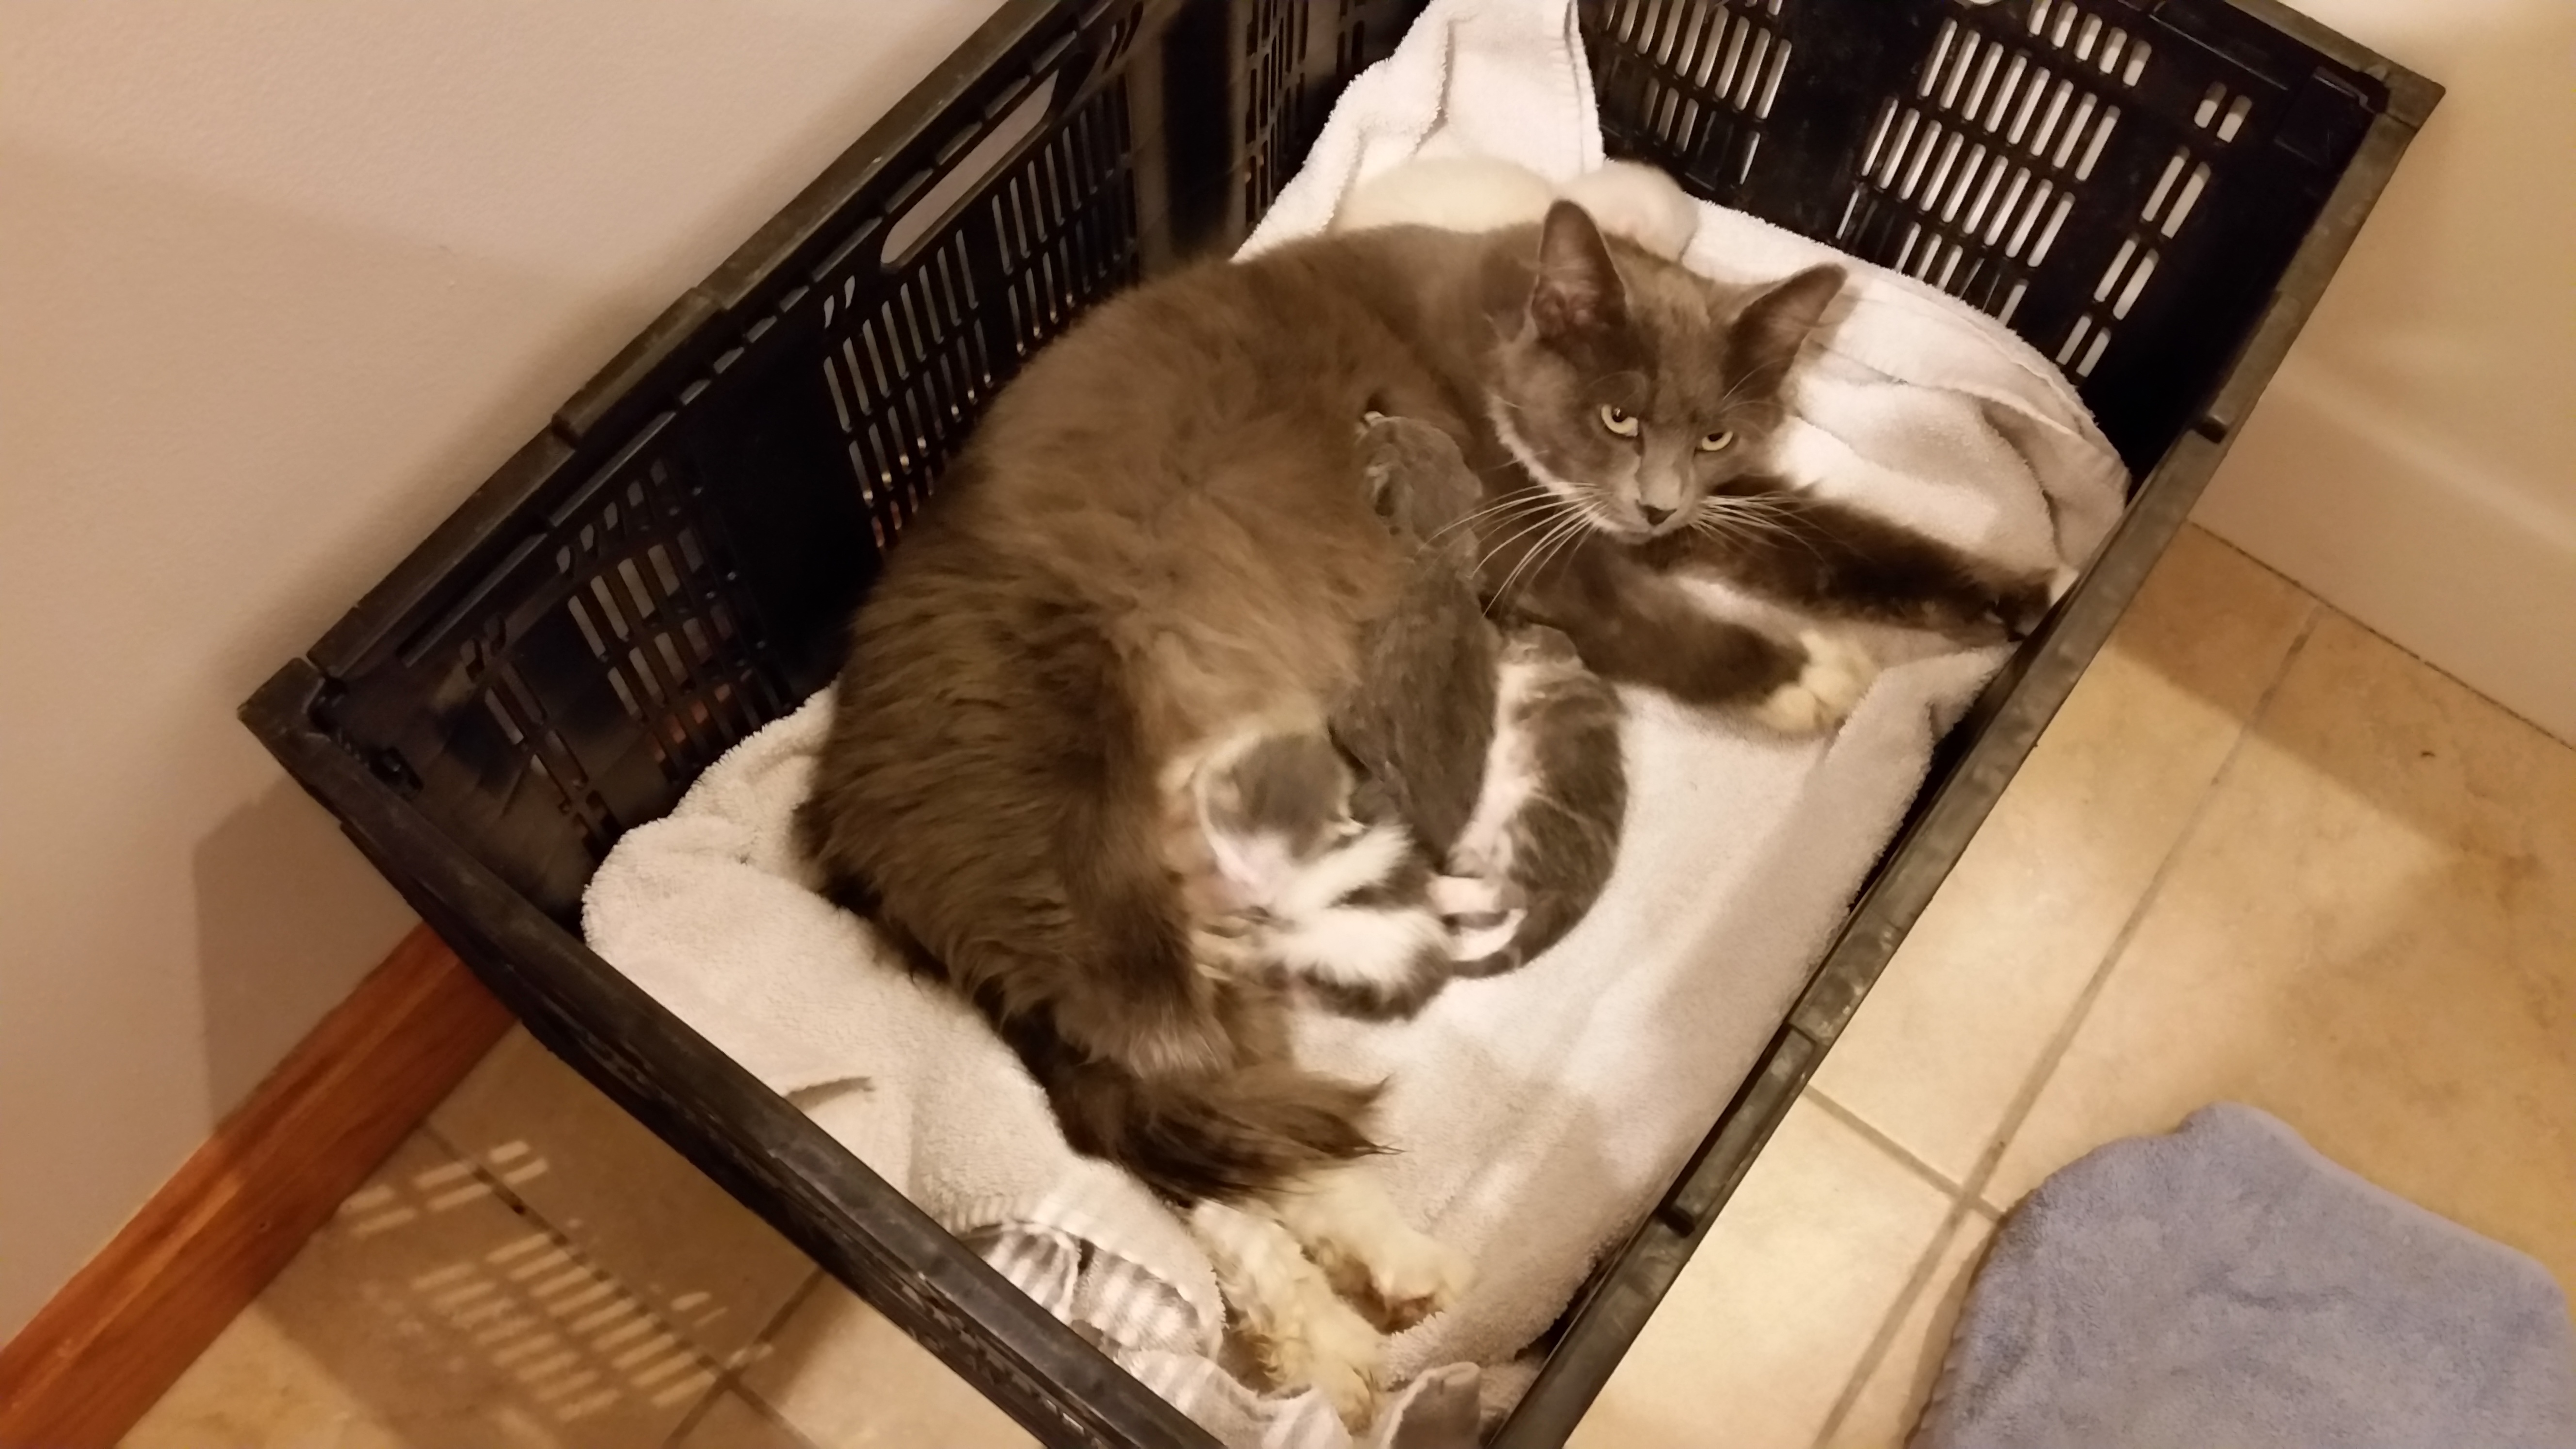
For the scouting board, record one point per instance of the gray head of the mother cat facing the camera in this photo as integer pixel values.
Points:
(1637, 388)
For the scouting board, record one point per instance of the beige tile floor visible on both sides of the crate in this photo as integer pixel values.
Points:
(2260, 855)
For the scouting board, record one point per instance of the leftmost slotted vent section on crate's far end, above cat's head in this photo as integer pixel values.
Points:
(1696, 81)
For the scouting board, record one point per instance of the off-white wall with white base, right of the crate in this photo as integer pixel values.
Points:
(2415, 463)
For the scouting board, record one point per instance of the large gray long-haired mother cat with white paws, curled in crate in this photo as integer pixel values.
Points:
(1158, 535)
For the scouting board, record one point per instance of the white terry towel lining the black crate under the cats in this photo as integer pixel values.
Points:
(1534, 1115)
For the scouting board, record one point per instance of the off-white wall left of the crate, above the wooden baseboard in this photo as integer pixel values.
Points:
(279, 282)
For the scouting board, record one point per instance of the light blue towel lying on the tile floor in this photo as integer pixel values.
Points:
(2227, 1288)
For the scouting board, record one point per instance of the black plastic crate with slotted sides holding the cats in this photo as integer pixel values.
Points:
(2155, 192)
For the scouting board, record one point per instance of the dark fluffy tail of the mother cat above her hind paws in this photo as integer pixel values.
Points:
(1204, 1136)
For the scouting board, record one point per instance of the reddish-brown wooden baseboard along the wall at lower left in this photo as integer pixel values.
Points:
(120, 1334)
